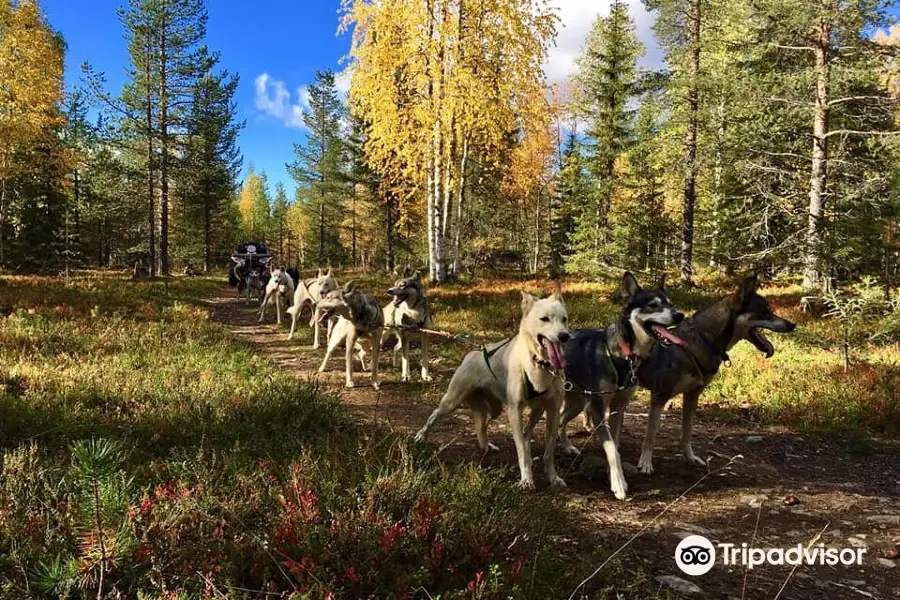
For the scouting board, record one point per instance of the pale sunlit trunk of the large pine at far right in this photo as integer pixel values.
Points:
(812, 271)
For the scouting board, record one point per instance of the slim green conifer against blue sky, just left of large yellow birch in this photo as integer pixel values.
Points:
(320, 164)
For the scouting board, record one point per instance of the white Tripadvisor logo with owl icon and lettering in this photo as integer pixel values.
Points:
(696, 555)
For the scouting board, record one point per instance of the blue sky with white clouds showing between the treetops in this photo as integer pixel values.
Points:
(276, 46)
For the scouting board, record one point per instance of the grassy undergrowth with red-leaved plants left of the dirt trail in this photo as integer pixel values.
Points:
(143, 443)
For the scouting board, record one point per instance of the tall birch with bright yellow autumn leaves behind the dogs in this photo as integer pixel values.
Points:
(436, 79)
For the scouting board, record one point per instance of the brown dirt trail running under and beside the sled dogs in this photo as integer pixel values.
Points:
(780, 491)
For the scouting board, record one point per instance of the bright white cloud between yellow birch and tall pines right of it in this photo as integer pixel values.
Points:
(576, 18)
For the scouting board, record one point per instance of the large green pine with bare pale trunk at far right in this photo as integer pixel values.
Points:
(808, 127)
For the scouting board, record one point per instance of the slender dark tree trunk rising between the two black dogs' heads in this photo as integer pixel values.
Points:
(690, 148)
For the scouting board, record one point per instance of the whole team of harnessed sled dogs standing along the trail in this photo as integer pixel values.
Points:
(546, 367)
